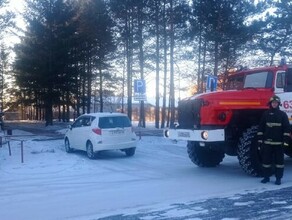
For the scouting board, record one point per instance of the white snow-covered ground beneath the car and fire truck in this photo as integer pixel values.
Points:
(51, 184)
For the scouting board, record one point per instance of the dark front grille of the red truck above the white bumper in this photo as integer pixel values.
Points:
(189, 113)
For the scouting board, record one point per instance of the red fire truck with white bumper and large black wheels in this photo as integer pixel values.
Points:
(220, 123)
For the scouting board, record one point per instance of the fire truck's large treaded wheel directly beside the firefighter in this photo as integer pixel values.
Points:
(248, 153)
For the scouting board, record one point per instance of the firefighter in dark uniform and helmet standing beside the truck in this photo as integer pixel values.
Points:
(273, 136)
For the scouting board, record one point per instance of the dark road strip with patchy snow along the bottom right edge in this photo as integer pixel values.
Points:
(276, 205)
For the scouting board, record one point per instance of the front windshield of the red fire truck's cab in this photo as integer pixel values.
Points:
(258, 80)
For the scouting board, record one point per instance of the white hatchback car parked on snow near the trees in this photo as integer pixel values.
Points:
(101, 131)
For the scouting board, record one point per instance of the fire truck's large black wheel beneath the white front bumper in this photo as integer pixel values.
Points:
(204, 156)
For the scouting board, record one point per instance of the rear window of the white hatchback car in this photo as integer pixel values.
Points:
(113, 122)
